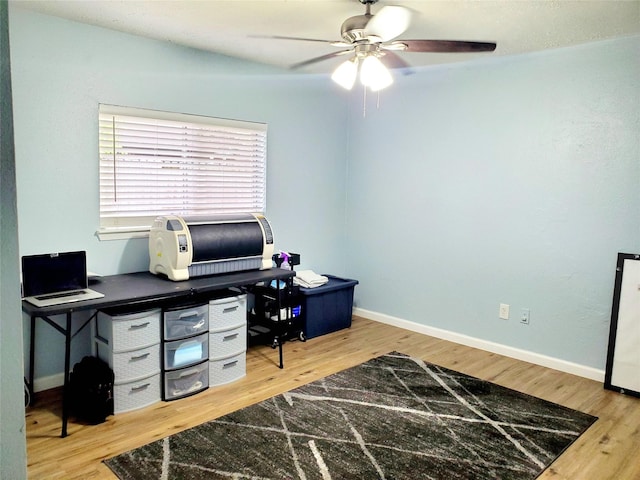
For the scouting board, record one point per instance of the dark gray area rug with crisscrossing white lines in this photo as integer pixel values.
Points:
(393, 417)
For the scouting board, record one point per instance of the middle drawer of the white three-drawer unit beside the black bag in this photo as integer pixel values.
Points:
(131, 364)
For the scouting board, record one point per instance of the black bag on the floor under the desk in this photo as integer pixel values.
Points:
(91, 390)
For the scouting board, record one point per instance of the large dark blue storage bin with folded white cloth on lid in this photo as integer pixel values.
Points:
(327, 308)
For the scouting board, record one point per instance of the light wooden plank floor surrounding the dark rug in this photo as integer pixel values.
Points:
(610, 449)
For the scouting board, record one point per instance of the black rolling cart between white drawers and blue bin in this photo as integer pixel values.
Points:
(274, 318)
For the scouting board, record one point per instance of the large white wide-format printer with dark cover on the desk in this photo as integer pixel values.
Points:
(185, 247)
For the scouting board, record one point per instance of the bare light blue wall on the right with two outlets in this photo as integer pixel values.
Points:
(511, 180)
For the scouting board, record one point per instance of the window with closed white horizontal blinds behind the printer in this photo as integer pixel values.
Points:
(159, 163)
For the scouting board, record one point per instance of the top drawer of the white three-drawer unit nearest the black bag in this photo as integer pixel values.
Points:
(129, 331)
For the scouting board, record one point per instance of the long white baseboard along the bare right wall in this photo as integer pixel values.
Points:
(518, 354)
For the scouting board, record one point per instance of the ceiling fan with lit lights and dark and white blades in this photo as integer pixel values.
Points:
(369, 39)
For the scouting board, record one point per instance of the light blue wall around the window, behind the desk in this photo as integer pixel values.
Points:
(62, 70)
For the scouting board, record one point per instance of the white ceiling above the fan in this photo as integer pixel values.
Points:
(231, 27)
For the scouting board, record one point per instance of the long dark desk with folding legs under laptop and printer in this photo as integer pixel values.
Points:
(134, 290)
